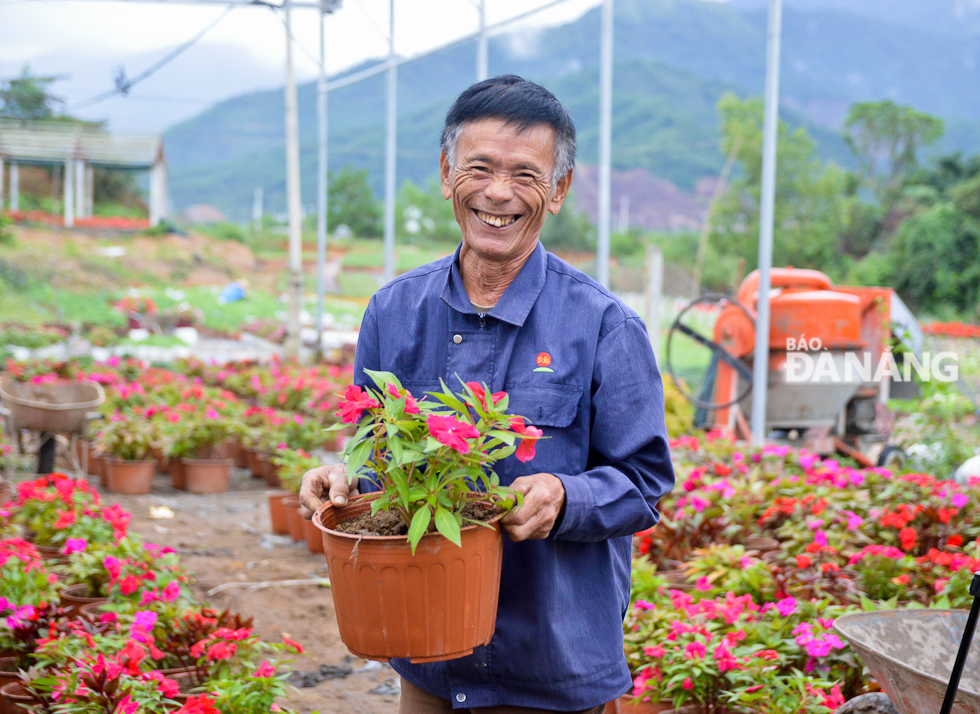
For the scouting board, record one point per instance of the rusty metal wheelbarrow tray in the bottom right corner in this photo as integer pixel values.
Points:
(910, 653)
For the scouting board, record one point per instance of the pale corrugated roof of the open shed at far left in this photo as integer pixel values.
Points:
(51, 143)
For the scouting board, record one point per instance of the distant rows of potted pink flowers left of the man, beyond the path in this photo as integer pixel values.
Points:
(161, 419)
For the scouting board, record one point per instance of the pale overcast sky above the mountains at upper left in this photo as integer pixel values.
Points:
(87, 41)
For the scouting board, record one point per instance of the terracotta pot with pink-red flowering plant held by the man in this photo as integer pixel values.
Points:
(429, 457)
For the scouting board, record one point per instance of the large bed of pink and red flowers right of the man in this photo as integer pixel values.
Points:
(736, 591)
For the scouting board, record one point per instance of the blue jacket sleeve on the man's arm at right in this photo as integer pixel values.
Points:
(629, 457)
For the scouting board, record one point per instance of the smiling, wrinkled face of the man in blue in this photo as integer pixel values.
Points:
(501, 187)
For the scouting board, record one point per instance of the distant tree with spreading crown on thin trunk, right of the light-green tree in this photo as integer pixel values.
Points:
(886, 137)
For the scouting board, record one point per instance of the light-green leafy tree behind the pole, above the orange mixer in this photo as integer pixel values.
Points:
(811, 210)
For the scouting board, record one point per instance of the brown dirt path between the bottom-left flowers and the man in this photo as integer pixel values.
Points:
(226, 538)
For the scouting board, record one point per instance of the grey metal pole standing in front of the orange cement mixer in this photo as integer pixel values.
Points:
(760, 365)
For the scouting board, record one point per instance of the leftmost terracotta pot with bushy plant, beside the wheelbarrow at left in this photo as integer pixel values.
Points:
(128, 440)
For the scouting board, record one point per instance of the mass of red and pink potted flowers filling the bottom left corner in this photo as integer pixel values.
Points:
(93, 620)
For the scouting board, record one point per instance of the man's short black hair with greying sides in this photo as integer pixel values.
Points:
(515, 101)
